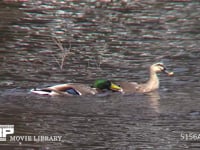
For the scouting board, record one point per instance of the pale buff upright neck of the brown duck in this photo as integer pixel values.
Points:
(153, 82)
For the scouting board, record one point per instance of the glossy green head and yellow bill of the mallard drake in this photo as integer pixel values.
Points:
(106, 84)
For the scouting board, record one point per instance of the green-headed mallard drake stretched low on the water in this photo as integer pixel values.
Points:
(71, 89)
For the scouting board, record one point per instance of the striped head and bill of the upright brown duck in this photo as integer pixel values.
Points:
(159, 67)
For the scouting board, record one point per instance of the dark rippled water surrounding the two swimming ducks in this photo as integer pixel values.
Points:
(113, 40)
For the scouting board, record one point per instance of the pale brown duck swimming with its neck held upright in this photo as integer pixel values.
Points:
(151, 85)
